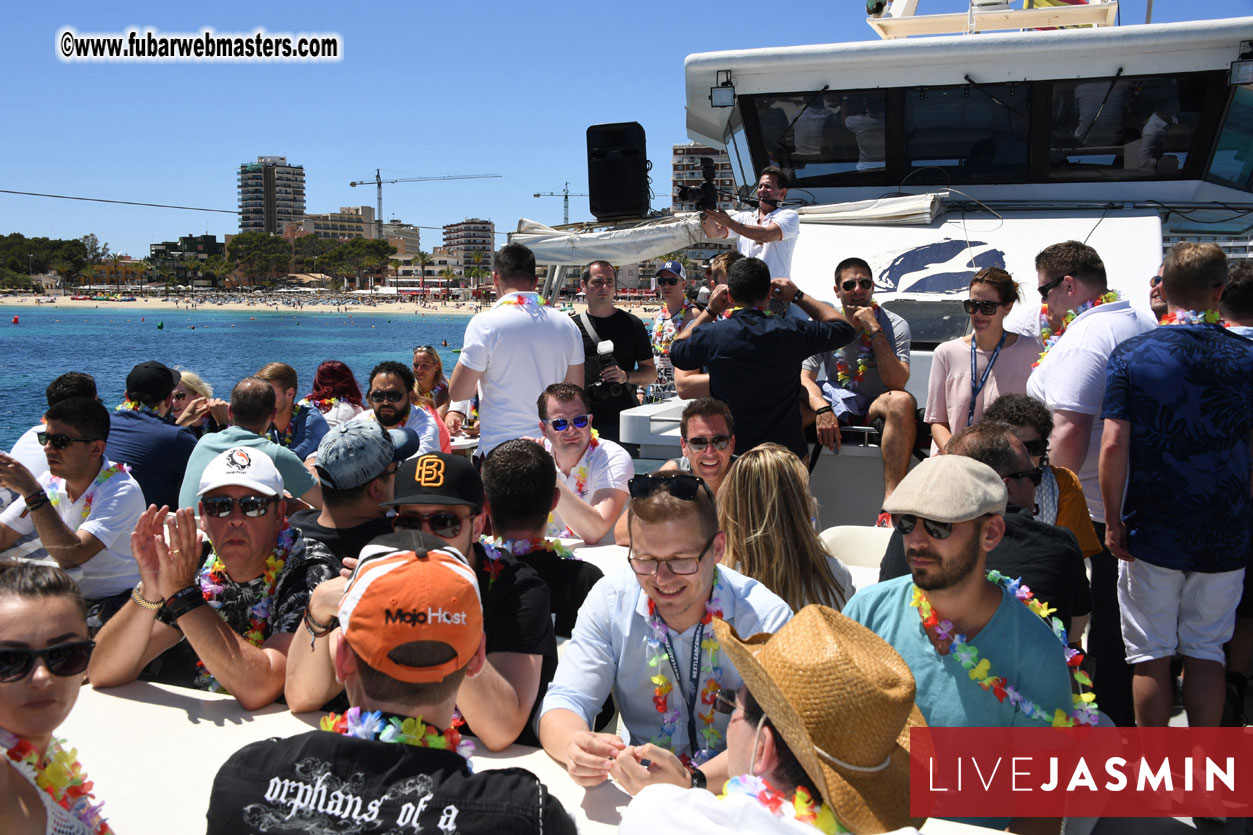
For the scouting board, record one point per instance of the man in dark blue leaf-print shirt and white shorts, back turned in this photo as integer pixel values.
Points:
(1178, 411)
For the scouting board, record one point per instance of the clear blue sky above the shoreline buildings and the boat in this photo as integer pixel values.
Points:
(423, 90)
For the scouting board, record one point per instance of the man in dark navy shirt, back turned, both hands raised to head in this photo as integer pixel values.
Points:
(755, 358)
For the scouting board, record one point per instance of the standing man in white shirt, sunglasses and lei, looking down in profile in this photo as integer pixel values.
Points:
(1086, 323)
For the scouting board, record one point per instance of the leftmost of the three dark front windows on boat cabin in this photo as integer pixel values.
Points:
(823, 135)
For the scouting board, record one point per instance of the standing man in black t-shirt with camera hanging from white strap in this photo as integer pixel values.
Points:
(612, 388)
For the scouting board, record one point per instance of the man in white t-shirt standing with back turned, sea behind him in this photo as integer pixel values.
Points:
(513, 353)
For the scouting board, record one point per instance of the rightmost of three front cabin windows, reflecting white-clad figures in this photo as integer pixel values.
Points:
(1123, 129)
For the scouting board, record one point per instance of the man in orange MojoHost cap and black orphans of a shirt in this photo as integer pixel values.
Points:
(395, 762)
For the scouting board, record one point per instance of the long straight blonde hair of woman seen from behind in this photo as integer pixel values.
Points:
(767, 511)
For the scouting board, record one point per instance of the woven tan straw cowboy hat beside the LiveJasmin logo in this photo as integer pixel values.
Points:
(843, 700)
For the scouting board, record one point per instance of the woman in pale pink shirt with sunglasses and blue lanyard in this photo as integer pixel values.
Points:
(975, 369)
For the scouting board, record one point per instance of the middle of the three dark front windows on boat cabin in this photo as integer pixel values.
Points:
(975, 132)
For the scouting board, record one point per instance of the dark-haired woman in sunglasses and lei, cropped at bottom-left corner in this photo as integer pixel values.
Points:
(44, 650)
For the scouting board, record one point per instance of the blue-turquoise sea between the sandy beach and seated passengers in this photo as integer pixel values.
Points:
(221, 347)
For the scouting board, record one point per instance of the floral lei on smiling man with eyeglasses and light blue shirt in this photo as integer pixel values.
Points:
(711, 673)
